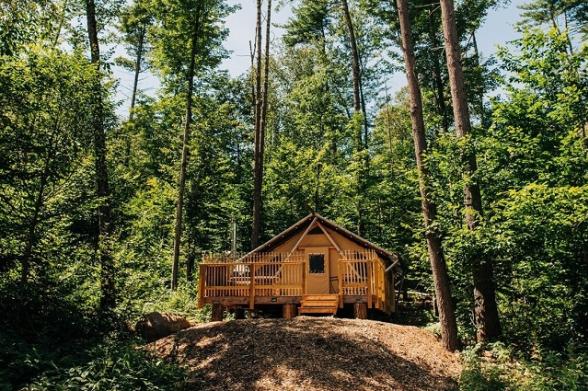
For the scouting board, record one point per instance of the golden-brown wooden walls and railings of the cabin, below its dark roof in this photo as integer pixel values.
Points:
(289, 287)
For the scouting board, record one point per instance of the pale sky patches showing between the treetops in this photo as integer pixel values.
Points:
(497, 29)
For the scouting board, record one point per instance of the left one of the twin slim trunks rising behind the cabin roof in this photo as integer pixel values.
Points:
(258, 158)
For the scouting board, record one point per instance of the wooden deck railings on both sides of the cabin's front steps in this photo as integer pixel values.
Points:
(360, 273)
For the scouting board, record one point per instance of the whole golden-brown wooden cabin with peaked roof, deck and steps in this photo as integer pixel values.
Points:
(313, 267)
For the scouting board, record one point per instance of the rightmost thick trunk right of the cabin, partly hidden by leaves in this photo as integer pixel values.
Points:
(487, 322)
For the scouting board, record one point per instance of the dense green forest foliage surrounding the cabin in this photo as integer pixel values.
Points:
(529, 107)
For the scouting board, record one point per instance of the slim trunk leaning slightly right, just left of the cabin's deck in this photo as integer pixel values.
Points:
(185, 146)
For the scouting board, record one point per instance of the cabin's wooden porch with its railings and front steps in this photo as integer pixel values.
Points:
(245, 281)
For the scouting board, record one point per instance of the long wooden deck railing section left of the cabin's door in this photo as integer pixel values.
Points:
(259, 274)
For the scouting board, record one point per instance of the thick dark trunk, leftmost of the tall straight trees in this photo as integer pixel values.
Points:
(108, 299)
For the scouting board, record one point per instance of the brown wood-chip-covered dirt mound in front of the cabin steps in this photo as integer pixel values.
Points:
(310, 354)
